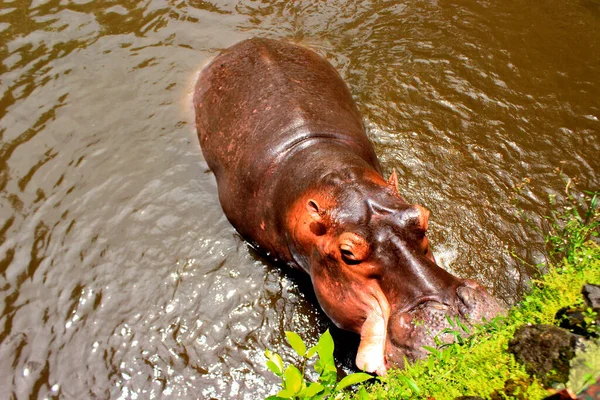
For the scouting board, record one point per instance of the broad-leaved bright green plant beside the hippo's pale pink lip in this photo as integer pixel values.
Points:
(294, 384)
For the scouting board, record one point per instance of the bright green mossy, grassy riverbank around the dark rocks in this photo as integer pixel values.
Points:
(481, 365)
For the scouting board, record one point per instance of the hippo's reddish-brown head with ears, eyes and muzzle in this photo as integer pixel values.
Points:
(373, 271)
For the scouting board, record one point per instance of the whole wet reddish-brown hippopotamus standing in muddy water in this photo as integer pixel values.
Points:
(300, 181)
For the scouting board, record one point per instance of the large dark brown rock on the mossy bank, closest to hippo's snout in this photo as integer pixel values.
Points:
(546, 351)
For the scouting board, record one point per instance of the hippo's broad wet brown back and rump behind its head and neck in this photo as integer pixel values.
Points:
(255, 103)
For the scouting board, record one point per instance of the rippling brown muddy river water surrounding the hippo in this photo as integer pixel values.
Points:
(119, 275)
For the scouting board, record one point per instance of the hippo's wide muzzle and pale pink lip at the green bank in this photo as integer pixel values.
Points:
(389, 342)
